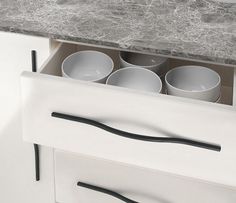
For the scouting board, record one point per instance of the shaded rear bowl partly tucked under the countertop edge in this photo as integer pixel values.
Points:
(156, 64)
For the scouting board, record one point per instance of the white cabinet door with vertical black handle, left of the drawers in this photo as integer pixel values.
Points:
(17, 173)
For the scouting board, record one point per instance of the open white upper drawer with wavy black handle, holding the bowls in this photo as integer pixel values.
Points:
(111, 121)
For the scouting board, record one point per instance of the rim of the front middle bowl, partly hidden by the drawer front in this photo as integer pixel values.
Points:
(137, 68)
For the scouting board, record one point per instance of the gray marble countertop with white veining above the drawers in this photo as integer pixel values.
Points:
(193, 29)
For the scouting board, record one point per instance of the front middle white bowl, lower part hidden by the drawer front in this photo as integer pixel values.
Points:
(136, 78)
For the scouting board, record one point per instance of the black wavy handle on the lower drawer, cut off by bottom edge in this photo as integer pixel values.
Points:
(106, 191)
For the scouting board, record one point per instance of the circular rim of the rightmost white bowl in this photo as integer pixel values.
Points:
(195, 91)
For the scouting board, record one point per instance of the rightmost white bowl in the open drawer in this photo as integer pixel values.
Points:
(194, 82)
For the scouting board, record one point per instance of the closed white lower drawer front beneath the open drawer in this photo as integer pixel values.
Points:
(137, 184)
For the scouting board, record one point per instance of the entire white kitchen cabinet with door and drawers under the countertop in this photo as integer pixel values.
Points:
(141, 170)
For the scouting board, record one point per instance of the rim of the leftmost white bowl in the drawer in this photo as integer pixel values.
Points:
(88, 51)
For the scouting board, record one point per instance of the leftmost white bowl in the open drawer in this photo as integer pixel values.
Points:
(91, 66)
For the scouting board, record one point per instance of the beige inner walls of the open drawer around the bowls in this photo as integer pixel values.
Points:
(53, 67)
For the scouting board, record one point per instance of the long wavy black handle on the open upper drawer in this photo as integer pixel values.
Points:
(121, 133)
